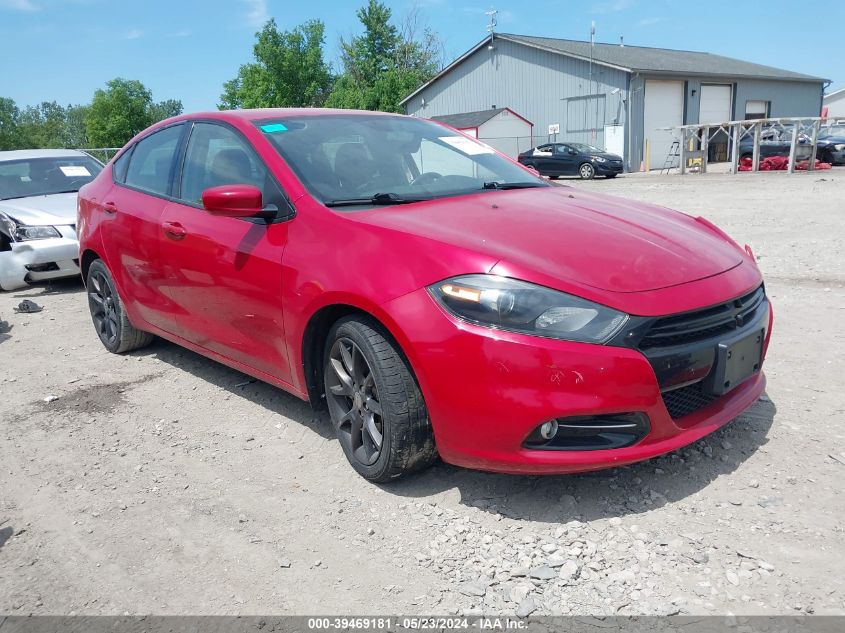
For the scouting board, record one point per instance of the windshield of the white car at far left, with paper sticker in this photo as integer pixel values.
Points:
(45, 176)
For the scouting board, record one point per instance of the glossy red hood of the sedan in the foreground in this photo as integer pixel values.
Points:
(562, 233)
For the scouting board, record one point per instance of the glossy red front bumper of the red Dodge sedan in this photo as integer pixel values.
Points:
(488, 390)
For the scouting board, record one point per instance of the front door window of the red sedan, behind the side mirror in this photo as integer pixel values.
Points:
(217, 155)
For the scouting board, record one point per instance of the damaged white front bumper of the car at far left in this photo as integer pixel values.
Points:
(39, 260)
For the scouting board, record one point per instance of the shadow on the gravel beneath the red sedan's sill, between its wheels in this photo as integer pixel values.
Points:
(276, 401)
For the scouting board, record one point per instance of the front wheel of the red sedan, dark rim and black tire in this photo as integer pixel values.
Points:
(374, 402)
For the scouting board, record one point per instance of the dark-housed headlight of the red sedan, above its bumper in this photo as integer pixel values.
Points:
(518, 306)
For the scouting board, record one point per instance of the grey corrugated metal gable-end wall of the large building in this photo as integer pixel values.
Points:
(534, 83)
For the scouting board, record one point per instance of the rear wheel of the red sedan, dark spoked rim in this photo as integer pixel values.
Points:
(116, 332)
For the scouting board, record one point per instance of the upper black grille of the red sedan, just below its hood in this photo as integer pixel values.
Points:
(704, 324)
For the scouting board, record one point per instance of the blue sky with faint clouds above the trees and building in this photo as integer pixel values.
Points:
(63, 50)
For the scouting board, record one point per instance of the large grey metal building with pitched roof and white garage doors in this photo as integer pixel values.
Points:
(614, 96)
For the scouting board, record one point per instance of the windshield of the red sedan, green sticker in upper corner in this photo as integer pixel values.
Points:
(378, 159)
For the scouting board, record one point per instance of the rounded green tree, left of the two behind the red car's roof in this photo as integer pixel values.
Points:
(289, 70)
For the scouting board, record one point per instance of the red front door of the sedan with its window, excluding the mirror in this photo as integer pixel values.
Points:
(225, 274)
